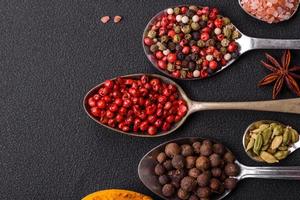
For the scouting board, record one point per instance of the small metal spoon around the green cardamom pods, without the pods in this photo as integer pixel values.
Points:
(252, 126)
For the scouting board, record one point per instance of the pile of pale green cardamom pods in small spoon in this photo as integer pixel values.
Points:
(270, 142)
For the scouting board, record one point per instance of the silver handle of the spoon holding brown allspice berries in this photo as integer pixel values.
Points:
(289, 173)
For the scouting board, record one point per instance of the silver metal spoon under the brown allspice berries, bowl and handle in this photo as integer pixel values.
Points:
(150, 180)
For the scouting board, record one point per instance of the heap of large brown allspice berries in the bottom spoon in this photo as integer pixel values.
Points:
(196, 171)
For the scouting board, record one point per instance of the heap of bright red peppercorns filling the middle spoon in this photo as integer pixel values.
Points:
(144, 105)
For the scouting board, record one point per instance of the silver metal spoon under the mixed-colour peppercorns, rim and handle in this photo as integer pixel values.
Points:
(246, 43)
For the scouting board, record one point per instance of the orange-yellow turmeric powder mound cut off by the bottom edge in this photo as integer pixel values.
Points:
(115, 194)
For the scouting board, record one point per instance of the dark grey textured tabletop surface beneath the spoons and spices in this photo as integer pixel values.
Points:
(53, 52)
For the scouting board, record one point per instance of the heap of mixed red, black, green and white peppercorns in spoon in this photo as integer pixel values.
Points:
(191, 42)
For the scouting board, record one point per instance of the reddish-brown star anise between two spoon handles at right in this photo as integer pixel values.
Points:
(281, 73)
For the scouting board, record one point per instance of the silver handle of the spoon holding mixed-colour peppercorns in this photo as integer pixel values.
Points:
(262, 43)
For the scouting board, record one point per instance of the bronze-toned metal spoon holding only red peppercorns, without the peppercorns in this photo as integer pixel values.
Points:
(286, 105)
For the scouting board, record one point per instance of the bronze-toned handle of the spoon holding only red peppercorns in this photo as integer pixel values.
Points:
(285, 105)
